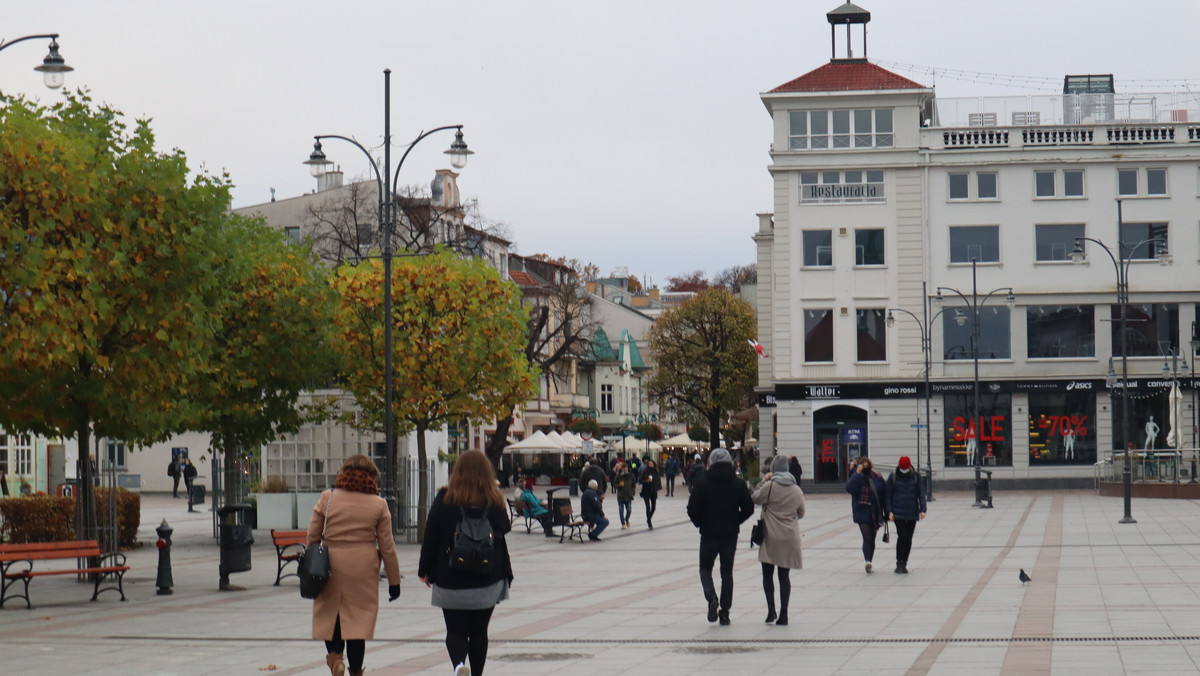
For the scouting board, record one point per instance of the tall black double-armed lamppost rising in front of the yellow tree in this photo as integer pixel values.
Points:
(387, 188)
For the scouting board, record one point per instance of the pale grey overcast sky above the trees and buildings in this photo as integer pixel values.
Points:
(626, 134)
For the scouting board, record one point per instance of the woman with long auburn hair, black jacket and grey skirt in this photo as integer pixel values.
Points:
(467, 600)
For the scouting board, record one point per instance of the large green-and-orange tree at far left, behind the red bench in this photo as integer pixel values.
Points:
(107, 282)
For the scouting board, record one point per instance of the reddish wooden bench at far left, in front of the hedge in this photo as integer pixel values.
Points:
(13, 555)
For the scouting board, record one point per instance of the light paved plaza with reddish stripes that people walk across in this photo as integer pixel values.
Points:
(1106, 599)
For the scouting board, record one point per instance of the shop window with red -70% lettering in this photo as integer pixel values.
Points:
(1063, 428)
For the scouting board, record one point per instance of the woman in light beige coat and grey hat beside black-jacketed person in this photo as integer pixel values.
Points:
(783, 505)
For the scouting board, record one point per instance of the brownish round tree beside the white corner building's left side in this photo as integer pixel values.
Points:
(703, 361)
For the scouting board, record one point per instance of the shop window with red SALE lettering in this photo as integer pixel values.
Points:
(983, 440)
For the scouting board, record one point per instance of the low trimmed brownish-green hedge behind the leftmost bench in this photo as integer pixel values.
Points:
(45, 519)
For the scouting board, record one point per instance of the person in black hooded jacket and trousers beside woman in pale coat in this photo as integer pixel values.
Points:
(718, 506)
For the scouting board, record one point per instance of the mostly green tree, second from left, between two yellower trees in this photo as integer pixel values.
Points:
(271, 345)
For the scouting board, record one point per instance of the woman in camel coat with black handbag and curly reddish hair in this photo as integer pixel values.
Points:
(358, 533)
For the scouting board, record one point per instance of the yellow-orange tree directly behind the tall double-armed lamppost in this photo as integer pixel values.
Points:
(454, 358)
